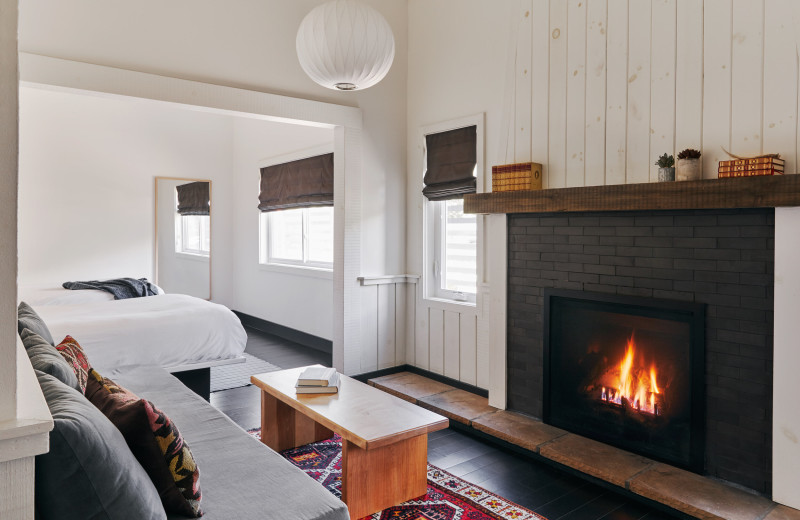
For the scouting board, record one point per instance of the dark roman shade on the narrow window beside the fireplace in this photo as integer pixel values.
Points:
(452, 157)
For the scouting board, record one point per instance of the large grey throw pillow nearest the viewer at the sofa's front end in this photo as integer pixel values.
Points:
(89, 472)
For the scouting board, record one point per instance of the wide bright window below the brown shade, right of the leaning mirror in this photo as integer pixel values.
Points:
(302, 236)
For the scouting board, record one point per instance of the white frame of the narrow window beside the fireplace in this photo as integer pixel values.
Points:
(432, 220)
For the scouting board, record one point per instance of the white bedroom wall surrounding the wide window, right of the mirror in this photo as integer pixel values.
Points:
(291, 297)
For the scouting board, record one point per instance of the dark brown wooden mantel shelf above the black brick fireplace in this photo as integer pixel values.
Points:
(742, 192)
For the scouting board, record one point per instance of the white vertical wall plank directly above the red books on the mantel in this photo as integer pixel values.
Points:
(747, 59)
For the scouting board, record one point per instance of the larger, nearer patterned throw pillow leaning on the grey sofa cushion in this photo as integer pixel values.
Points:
(155, 442)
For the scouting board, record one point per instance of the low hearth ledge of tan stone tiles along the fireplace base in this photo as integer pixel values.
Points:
(687, 492)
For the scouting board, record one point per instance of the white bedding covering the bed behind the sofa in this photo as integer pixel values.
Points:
(169, 330)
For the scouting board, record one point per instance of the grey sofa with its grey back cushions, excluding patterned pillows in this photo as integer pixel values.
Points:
(90, 473)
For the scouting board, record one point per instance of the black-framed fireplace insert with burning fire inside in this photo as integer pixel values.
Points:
(627, 371)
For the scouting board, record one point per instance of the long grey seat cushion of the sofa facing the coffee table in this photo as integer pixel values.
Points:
(242, 478)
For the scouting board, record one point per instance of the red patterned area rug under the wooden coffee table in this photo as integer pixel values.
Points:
(448, 497)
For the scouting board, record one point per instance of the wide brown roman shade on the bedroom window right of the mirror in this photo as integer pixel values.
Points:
(297, 184)
